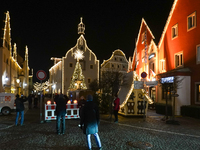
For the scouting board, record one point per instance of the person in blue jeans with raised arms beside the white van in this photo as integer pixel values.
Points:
(19, 109)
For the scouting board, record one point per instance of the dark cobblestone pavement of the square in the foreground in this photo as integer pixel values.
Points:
(129, 133)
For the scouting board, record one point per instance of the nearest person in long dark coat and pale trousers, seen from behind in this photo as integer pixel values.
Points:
(90, 121)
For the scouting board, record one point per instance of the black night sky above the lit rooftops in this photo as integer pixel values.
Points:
(49, 28)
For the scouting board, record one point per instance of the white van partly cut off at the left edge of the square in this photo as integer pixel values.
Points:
(7, 103)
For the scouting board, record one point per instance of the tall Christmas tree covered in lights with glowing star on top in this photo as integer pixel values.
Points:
(78, 79)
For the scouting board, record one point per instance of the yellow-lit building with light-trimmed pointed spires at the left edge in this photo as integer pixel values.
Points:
(14, 78)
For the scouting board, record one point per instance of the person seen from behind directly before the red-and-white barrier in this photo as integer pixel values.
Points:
(60, 112)
